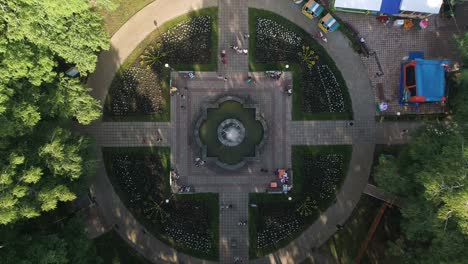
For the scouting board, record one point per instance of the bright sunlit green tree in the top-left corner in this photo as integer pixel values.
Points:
(37, 34)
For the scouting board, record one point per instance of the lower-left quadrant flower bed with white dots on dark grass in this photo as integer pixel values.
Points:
(141, 178)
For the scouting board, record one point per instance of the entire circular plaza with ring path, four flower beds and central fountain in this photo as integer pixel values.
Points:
(198, 138)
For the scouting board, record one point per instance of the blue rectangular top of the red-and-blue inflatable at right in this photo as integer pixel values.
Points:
(430, 79)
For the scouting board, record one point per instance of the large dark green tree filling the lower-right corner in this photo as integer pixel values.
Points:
(432, 179)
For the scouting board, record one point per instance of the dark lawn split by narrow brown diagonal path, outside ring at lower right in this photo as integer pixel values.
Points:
(345, 244)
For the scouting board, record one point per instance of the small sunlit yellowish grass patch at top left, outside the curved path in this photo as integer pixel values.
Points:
(114, 19)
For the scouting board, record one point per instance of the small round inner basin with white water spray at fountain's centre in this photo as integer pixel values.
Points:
(231, 132)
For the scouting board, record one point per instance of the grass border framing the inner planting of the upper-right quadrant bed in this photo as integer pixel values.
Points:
(297, 113)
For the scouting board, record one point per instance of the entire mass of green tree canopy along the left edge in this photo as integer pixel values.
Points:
(42, 162)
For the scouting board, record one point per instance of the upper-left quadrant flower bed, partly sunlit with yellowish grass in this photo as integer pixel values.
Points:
(141, 88)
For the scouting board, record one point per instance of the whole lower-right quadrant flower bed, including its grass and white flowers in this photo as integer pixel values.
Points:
(318, 174)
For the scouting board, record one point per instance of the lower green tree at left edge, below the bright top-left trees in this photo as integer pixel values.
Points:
(40, 170)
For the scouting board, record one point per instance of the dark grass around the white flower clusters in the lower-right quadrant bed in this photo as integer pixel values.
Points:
(277, 206)
